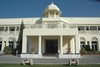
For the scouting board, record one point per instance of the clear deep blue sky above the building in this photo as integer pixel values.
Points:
(35, 8)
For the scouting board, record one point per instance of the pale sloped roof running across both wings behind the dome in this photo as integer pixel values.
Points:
(69, 20)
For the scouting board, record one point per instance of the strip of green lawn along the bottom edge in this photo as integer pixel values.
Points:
(48, 65)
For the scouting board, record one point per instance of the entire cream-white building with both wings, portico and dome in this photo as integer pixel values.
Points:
(51, 35)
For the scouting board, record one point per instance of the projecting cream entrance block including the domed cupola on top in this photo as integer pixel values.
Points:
(50, 36)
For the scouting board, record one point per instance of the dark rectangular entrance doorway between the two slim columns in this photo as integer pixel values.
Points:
(51, 47)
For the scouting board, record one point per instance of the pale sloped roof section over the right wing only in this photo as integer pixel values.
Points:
(82, 20)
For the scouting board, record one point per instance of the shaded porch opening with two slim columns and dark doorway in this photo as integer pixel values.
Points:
(49, 45)
